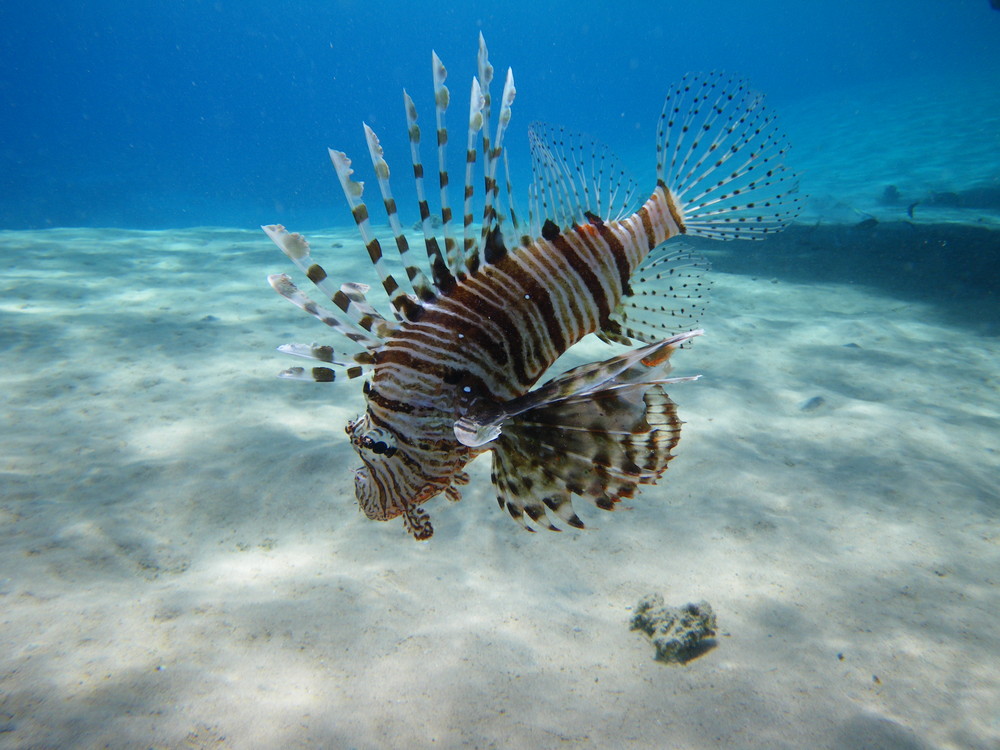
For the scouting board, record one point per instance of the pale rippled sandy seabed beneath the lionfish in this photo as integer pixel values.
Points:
(182, 564)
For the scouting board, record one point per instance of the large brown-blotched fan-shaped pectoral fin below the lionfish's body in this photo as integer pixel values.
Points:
(598, 431)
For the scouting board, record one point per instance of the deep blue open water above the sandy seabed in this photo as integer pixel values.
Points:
(159, 115)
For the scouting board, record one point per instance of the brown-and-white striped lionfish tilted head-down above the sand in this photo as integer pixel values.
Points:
(450, 374)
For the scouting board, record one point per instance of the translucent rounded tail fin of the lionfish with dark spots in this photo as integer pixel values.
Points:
(720, 155)
